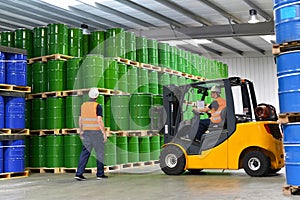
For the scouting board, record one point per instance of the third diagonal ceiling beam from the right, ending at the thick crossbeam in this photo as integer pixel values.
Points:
(184, 11)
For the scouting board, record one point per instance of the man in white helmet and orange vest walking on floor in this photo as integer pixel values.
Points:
(93, 135)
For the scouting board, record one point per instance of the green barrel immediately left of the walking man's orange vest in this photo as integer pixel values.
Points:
(73, 105)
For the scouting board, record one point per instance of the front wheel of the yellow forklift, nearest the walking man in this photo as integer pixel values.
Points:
(172, 160)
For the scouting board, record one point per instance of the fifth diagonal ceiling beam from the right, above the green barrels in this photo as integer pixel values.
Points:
(123, 15)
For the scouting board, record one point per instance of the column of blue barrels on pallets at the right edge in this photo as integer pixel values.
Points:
(287, 28)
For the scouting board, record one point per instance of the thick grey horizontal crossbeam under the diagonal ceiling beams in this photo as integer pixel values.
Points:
(211, 32)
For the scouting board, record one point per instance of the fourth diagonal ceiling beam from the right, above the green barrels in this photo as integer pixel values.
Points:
(151, 13)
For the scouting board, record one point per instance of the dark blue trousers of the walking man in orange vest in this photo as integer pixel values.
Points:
(91, 139)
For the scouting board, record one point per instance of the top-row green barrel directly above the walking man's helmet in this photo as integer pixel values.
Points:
(97, 42)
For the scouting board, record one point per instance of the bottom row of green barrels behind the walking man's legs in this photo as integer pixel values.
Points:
(57, 151)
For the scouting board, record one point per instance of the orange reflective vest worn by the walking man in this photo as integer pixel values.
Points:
(89, 117)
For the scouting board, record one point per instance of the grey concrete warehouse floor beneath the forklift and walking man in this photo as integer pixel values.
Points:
(145, 183)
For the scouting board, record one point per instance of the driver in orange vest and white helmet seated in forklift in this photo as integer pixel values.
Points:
(215, 108)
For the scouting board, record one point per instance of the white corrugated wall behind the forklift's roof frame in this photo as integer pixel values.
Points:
(262, 71)
